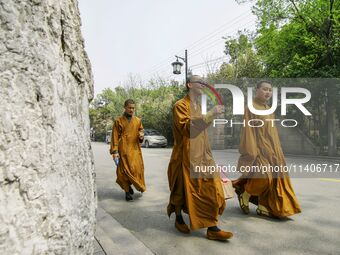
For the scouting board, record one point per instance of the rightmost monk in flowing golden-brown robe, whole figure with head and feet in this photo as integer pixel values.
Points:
(260, 146)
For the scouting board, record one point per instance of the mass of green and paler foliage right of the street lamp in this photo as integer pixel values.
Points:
(294, 39)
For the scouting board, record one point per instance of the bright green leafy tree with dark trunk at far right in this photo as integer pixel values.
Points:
(302, 39)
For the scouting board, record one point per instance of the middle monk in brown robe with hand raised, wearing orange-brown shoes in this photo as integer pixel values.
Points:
(201, 197)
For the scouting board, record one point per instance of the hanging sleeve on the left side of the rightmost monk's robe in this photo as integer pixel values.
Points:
(248, 144)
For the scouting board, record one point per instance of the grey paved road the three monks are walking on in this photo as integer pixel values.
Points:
(315, 231)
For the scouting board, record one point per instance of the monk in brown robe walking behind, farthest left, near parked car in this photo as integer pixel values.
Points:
(127, 134)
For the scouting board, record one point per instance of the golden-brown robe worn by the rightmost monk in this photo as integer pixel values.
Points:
(261, 146)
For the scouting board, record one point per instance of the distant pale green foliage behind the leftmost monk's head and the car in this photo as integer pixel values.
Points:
(154, 104)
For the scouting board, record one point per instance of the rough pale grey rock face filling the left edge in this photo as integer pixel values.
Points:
(47, 189)
